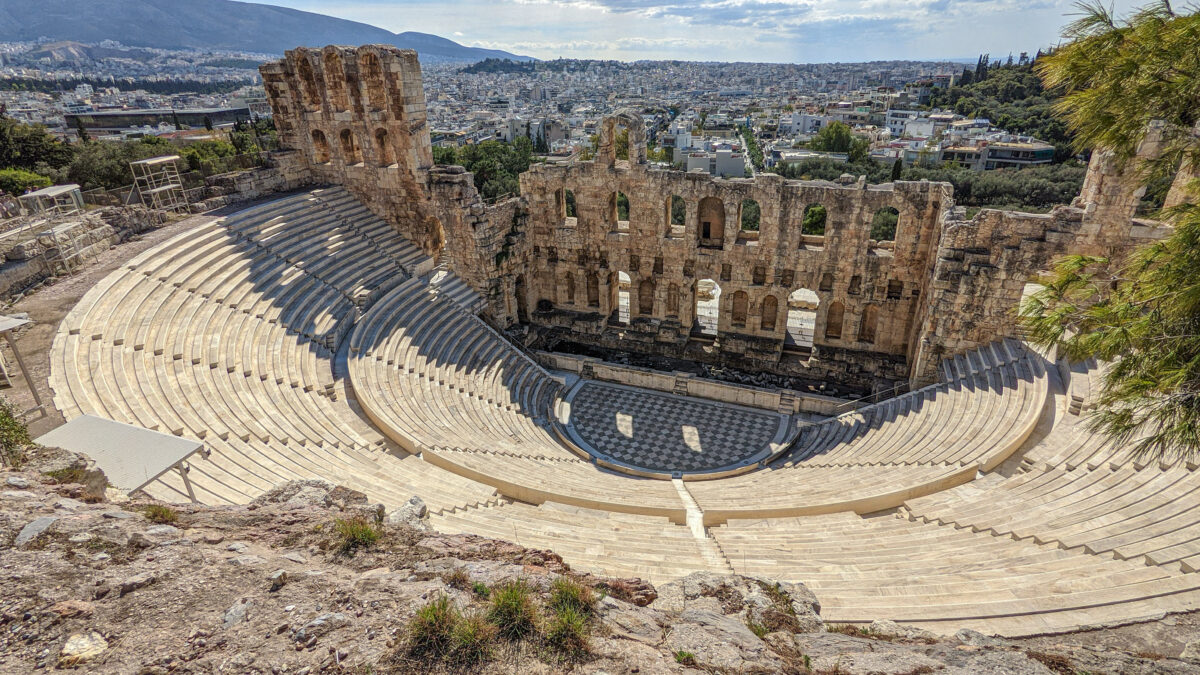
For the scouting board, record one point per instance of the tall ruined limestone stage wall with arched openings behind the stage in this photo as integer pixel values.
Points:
(886, 310)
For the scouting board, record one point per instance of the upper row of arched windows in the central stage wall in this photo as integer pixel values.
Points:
(711, 218)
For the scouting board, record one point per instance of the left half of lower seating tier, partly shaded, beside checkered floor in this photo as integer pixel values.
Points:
(481, 407)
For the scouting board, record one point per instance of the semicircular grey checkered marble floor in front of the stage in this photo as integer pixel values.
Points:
(663, 432)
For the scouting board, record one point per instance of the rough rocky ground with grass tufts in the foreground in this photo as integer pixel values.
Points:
(103, 584)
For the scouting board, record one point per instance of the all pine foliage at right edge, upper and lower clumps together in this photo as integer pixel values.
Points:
(1143, 313)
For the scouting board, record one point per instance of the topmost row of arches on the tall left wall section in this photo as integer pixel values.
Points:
(343, 87)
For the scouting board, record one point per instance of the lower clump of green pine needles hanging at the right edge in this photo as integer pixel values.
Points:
(1144, 316)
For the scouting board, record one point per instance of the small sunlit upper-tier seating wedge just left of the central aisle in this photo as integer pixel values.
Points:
(592, 541)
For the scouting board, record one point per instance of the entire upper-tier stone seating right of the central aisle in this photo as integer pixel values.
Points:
(1082, 533)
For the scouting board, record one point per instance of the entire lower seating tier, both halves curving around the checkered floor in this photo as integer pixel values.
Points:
(472, 415)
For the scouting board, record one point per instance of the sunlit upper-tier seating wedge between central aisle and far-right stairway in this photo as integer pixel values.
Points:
(944, 578)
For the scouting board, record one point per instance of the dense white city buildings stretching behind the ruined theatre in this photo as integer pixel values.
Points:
(815, 121)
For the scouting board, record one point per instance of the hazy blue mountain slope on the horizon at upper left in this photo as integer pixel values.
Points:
(213, 25)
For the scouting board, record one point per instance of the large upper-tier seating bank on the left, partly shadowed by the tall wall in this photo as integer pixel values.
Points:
(223, 334)
